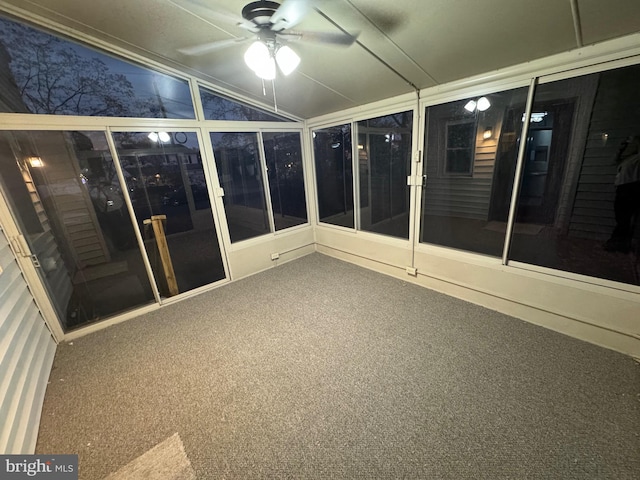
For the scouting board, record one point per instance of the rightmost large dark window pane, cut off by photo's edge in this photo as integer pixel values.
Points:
(579, 203)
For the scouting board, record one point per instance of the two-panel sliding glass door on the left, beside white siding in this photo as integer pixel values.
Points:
(66, 197)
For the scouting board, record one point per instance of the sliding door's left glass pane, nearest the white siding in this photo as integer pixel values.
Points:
(66, 197)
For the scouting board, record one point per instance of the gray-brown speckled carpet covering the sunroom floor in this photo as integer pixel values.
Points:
(321, 369)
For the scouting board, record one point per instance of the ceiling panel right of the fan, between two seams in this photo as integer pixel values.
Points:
(453, 39)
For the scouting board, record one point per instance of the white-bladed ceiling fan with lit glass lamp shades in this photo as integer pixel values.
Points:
(270, 23)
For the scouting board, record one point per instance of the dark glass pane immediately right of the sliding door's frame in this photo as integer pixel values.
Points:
(240, 174)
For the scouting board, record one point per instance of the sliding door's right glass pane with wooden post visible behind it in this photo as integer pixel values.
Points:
(166, 180)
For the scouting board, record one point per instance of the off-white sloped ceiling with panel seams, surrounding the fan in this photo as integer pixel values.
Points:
(426, 42)
